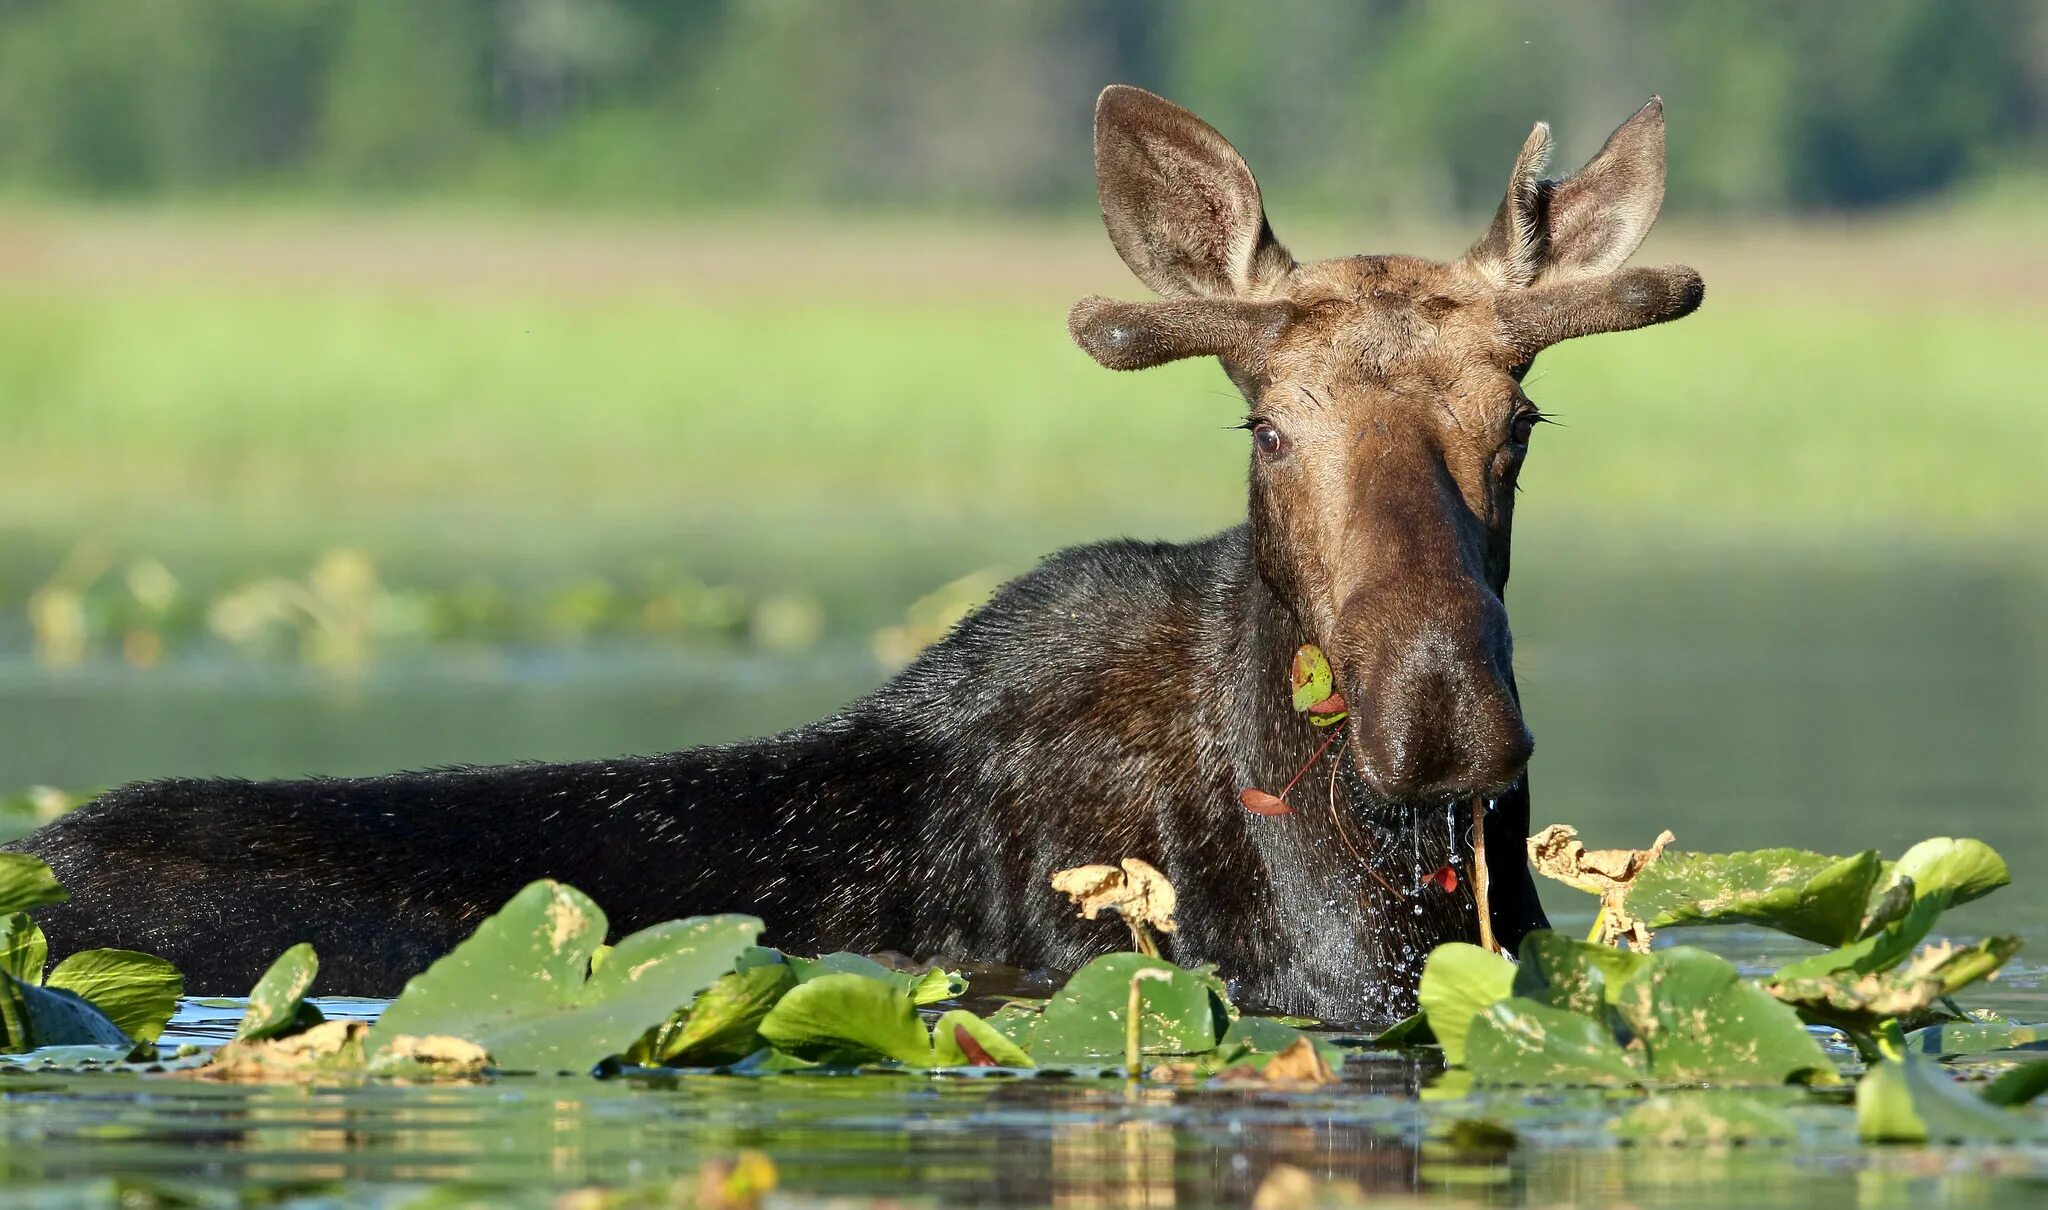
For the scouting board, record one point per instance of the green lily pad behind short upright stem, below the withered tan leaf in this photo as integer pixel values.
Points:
(1089, 1017)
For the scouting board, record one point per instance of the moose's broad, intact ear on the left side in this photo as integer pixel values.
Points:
(1181, 204)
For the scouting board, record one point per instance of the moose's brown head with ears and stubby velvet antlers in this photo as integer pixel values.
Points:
(1383, 492)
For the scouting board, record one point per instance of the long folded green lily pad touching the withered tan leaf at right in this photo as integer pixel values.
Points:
(1793, 892)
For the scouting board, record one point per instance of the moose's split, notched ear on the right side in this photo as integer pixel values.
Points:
(1590, 224)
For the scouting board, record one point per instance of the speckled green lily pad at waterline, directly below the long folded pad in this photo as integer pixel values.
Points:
(1701, 1023)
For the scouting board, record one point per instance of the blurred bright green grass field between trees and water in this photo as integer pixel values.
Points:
(181, 378)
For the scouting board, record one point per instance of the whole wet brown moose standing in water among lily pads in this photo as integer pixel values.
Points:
(1113, 703)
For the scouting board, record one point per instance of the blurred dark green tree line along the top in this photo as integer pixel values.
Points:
(1367, 105)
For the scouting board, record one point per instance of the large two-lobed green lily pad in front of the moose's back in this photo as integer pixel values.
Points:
(521, 986)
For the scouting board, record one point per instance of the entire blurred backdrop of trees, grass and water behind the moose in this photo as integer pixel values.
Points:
(394, 384)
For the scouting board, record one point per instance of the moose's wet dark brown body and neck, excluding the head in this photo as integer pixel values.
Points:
(1113, 703)
